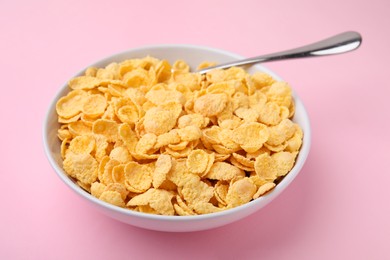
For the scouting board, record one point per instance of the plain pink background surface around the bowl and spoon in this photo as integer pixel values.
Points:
(337, 208)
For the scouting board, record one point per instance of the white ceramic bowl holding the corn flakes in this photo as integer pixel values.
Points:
(193, 55)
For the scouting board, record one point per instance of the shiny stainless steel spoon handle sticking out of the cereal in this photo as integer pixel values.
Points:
(337, 44)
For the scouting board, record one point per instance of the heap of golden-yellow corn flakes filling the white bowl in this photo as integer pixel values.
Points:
(153, 137)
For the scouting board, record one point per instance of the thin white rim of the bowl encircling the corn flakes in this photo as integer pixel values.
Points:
(302, 156)
